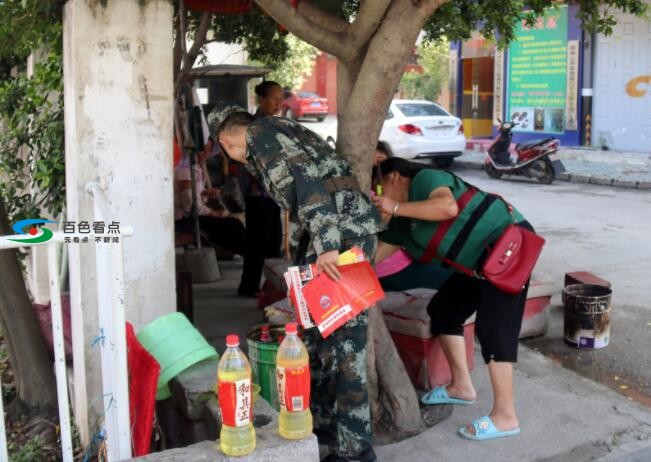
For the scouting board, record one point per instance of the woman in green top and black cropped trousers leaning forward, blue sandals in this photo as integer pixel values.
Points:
(434, 213)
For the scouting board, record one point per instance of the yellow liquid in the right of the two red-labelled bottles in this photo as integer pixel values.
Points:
(298, 424)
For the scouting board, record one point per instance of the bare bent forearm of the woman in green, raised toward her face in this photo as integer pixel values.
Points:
(440, 206)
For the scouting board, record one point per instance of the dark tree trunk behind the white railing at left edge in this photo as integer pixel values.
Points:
(28, 356)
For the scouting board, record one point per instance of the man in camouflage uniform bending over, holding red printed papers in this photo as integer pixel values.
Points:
(306, 176)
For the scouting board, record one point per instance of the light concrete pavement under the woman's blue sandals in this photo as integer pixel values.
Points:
(563, 418)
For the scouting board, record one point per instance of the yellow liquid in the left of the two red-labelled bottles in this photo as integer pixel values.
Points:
(236, 441)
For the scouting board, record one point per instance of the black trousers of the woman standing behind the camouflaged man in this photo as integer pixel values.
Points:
(263, 238)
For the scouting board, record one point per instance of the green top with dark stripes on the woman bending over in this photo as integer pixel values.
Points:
(481, 220)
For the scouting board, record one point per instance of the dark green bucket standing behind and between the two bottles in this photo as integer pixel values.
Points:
(262, 357)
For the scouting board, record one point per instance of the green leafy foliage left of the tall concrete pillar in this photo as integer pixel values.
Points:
(32, 175)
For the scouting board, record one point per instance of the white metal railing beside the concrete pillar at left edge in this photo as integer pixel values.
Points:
(111, 311)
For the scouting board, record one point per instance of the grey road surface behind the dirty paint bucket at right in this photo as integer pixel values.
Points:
(607, 231)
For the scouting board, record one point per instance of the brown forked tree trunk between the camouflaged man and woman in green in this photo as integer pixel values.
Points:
(372, 53)
